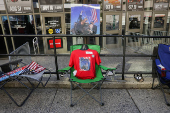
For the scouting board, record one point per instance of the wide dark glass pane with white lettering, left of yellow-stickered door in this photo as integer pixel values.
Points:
(22, 24)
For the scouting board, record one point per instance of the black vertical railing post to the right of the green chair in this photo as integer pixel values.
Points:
(124, 52)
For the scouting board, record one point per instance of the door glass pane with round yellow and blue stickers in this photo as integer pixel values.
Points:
(53, 23)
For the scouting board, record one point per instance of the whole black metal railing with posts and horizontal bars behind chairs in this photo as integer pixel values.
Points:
(124, 55)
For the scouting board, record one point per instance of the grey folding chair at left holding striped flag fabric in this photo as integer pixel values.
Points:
(21, 67)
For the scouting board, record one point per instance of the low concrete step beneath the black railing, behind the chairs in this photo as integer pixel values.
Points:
(129, 83)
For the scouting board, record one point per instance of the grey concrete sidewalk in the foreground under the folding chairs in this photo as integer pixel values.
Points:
(56, 100)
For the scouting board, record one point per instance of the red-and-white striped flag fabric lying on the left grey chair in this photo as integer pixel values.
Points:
(33, 68)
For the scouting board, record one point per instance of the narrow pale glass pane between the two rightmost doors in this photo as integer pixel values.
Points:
(147, 23)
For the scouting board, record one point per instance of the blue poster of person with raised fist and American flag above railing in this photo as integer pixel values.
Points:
(85, 19)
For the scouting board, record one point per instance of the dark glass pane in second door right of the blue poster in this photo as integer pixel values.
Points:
(134, 21)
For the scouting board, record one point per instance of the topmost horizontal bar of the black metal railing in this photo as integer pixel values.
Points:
(139, 36)
